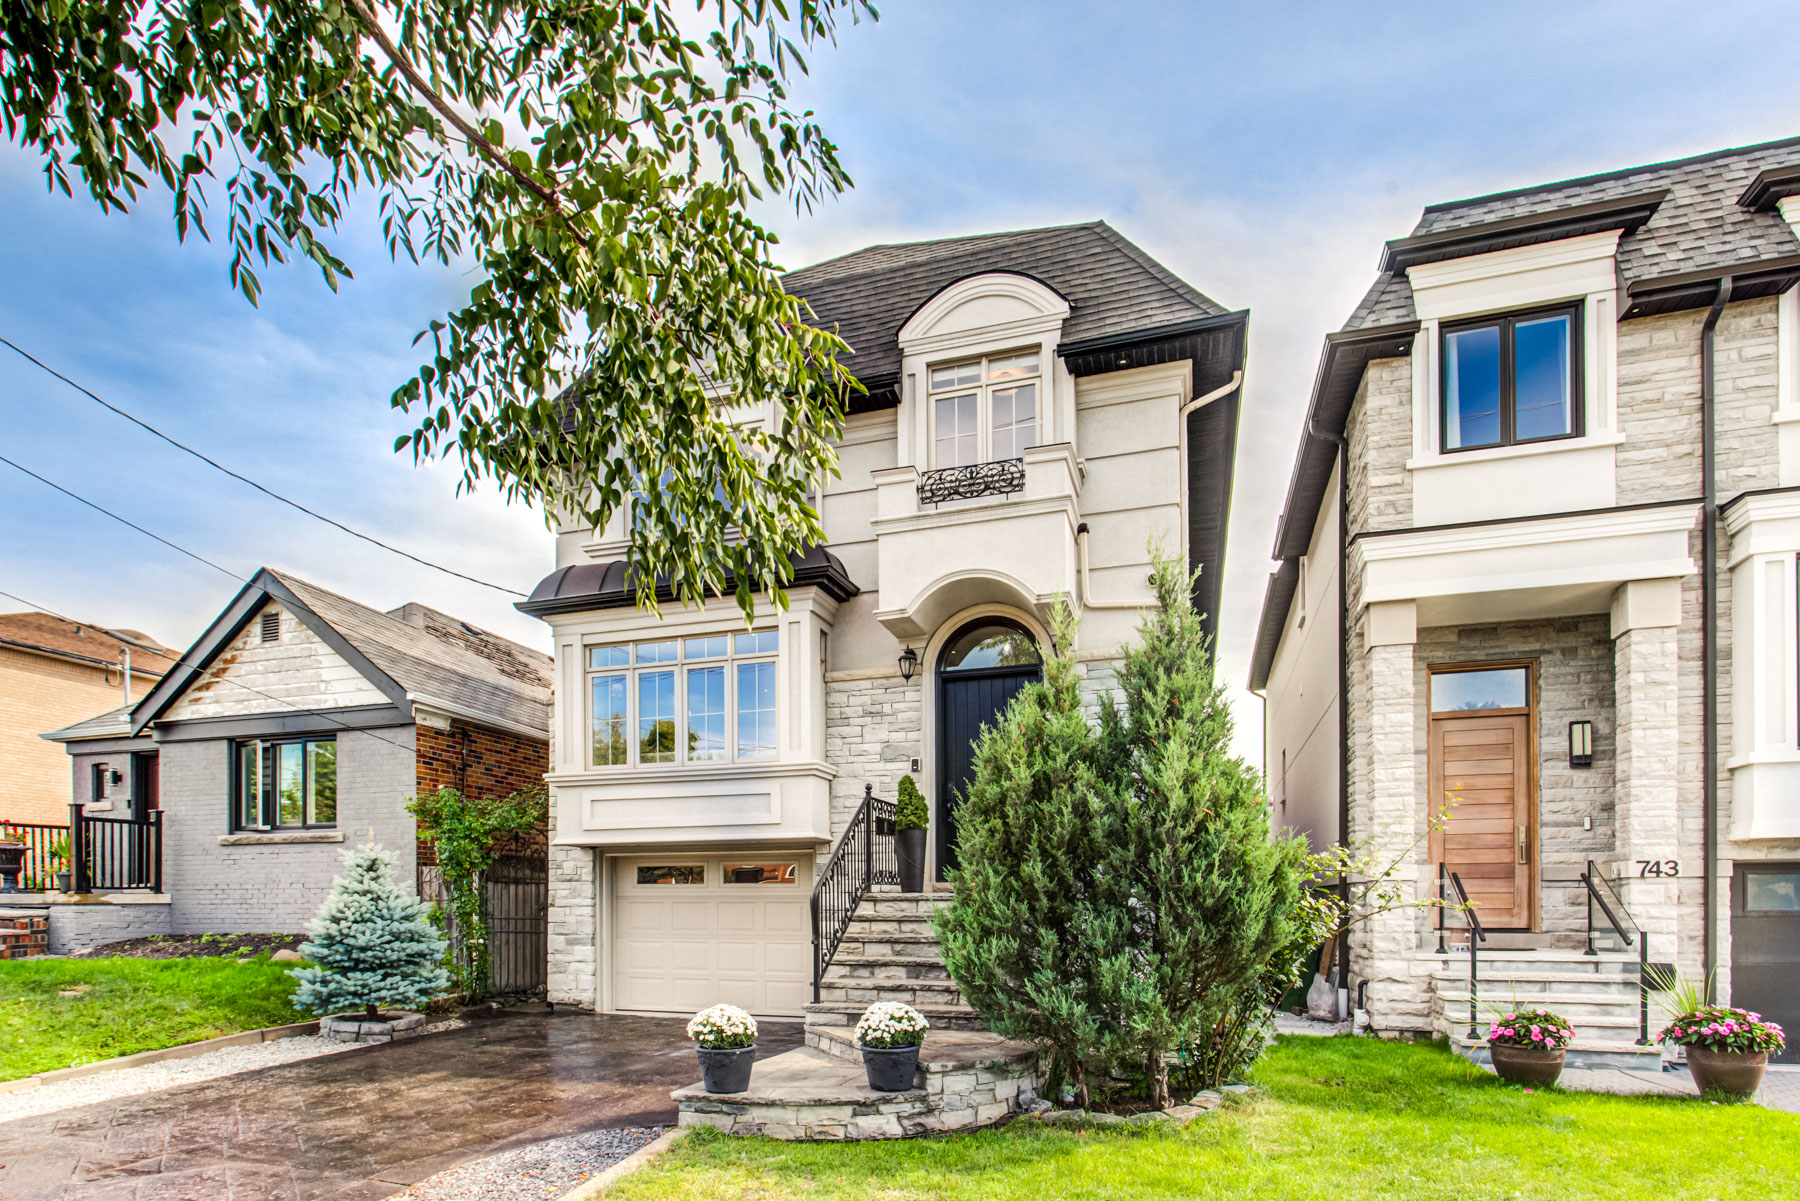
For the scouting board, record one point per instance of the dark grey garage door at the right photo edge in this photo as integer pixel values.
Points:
(1767, 946)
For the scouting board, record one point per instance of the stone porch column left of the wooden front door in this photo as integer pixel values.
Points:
(1387, 815)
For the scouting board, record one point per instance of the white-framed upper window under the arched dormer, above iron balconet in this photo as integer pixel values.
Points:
(984, 411)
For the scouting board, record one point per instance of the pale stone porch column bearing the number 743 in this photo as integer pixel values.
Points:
(1646, 799)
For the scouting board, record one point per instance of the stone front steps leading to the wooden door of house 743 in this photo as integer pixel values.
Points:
(1597, 993)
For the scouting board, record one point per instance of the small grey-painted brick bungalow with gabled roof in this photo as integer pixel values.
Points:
(301, 721)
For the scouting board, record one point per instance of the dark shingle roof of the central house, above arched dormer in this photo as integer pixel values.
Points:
(1111, 285)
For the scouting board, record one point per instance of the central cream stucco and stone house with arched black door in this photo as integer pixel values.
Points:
(1039, 406)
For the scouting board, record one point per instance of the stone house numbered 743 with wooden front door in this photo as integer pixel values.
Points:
(1540, 559)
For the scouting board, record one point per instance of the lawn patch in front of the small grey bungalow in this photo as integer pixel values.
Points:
(66, 1013)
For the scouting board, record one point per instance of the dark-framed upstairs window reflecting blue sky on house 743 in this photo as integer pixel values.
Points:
(1513, 379)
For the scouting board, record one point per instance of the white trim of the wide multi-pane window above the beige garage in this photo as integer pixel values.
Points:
(681, 665)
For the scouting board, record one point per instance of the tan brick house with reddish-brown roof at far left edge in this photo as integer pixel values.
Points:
(55, 673)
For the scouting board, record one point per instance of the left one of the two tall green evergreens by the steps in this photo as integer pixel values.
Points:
(1023, 937)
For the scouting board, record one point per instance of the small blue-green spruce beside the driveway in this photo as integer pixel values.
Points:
(372, 944)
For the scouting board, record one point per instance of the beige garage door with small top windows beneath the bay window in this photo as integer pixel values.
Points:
(697, 930)
